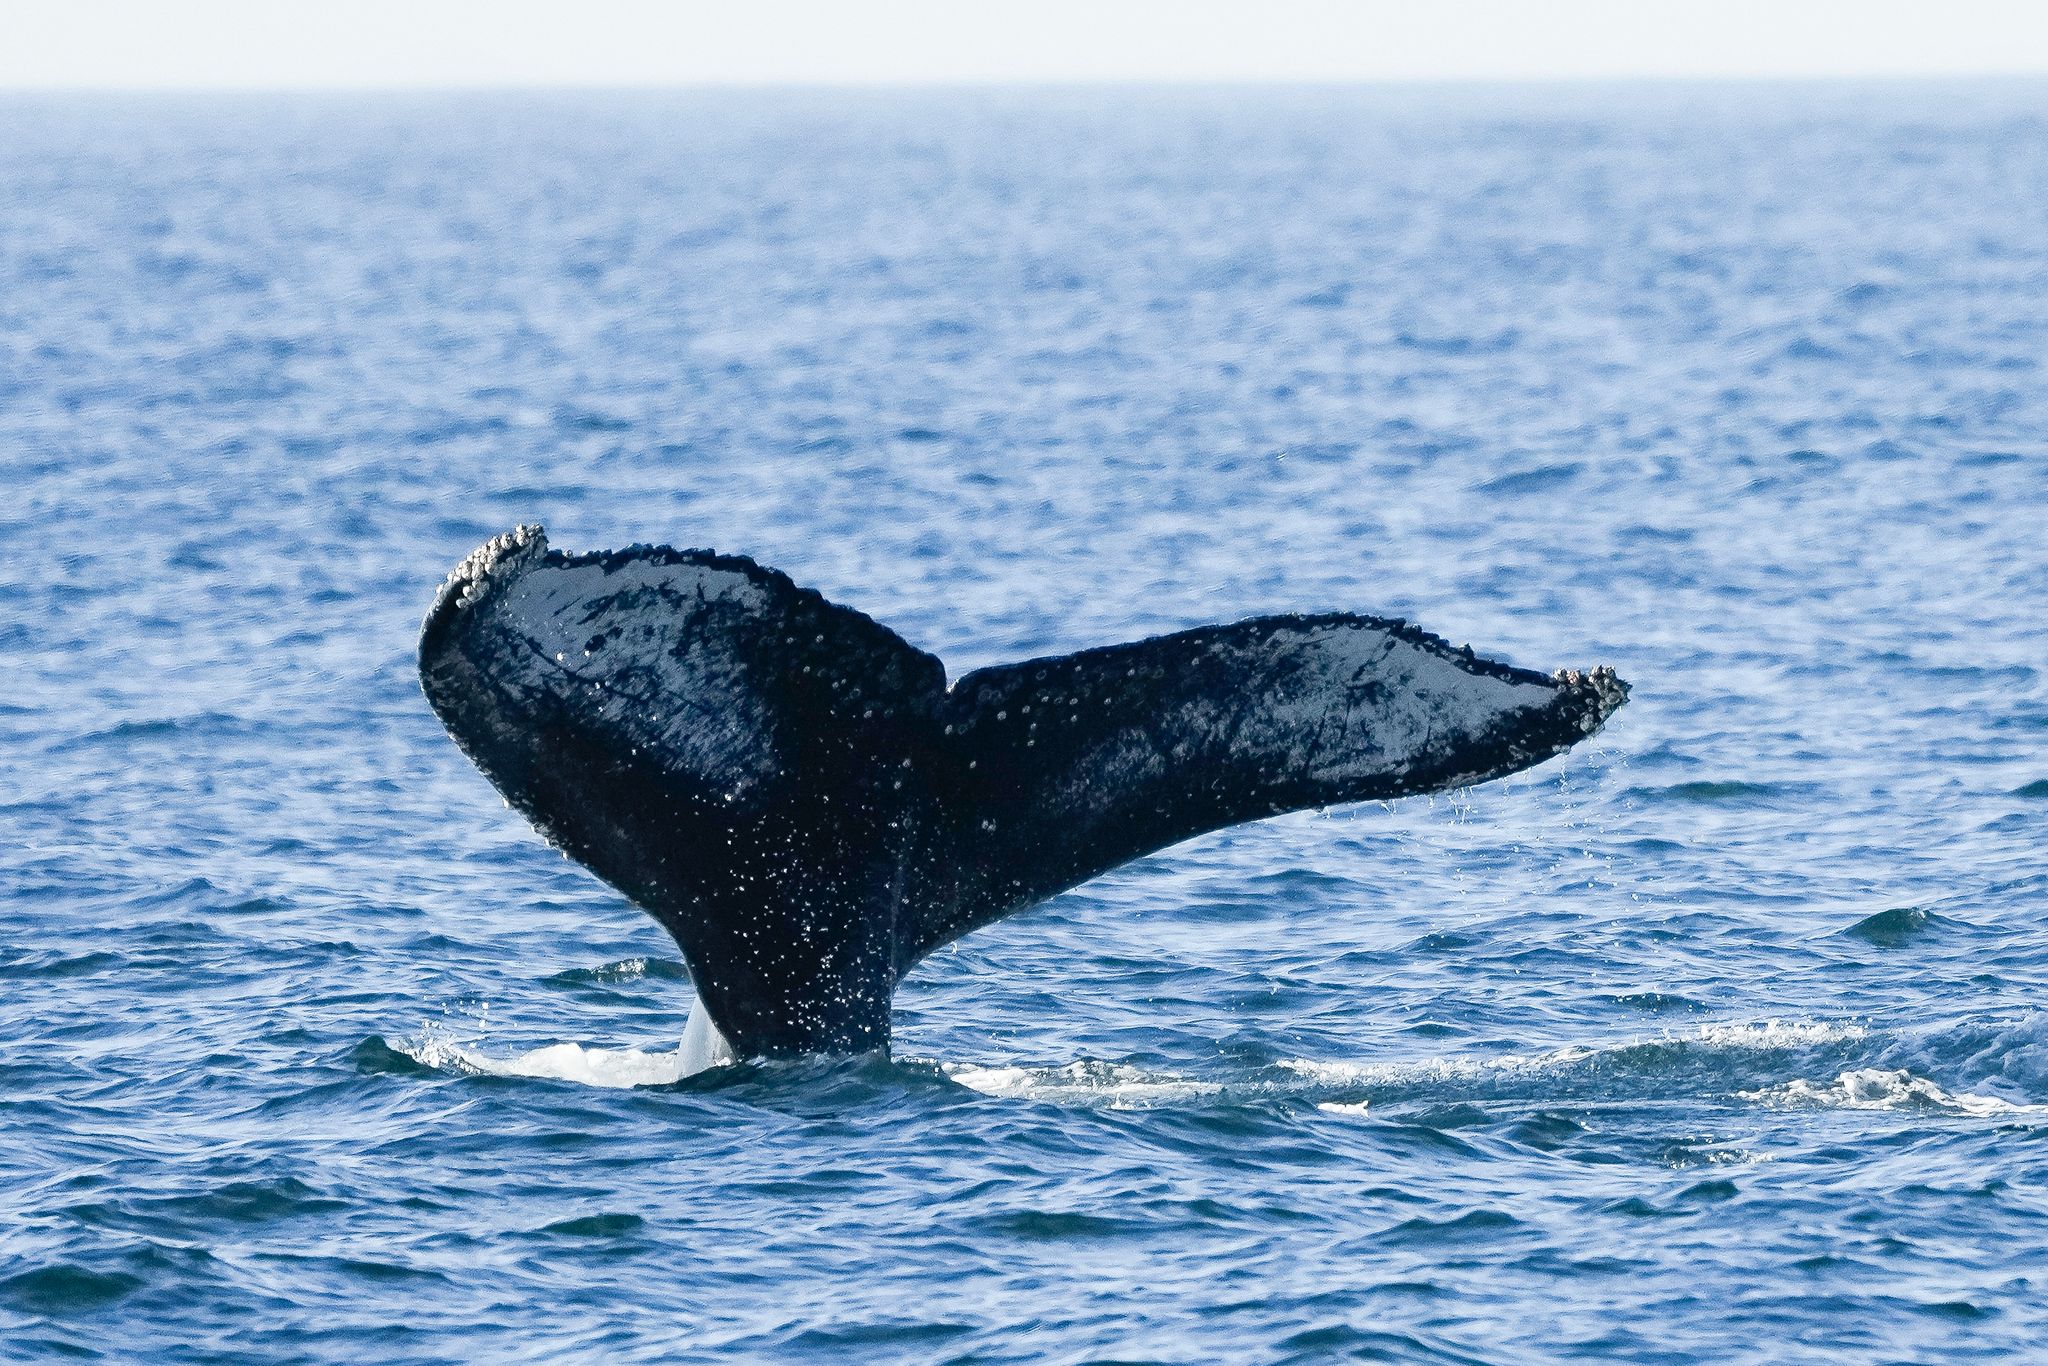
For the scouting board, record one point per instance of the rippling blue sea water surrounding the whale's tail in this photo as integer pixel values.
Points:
(1719, 1039)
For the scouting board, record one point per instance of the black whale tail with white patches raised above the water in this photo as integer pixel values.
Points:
(808, 808)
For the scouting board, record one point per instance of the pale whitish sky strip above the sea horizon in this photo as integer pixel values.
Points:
(460, 44)
